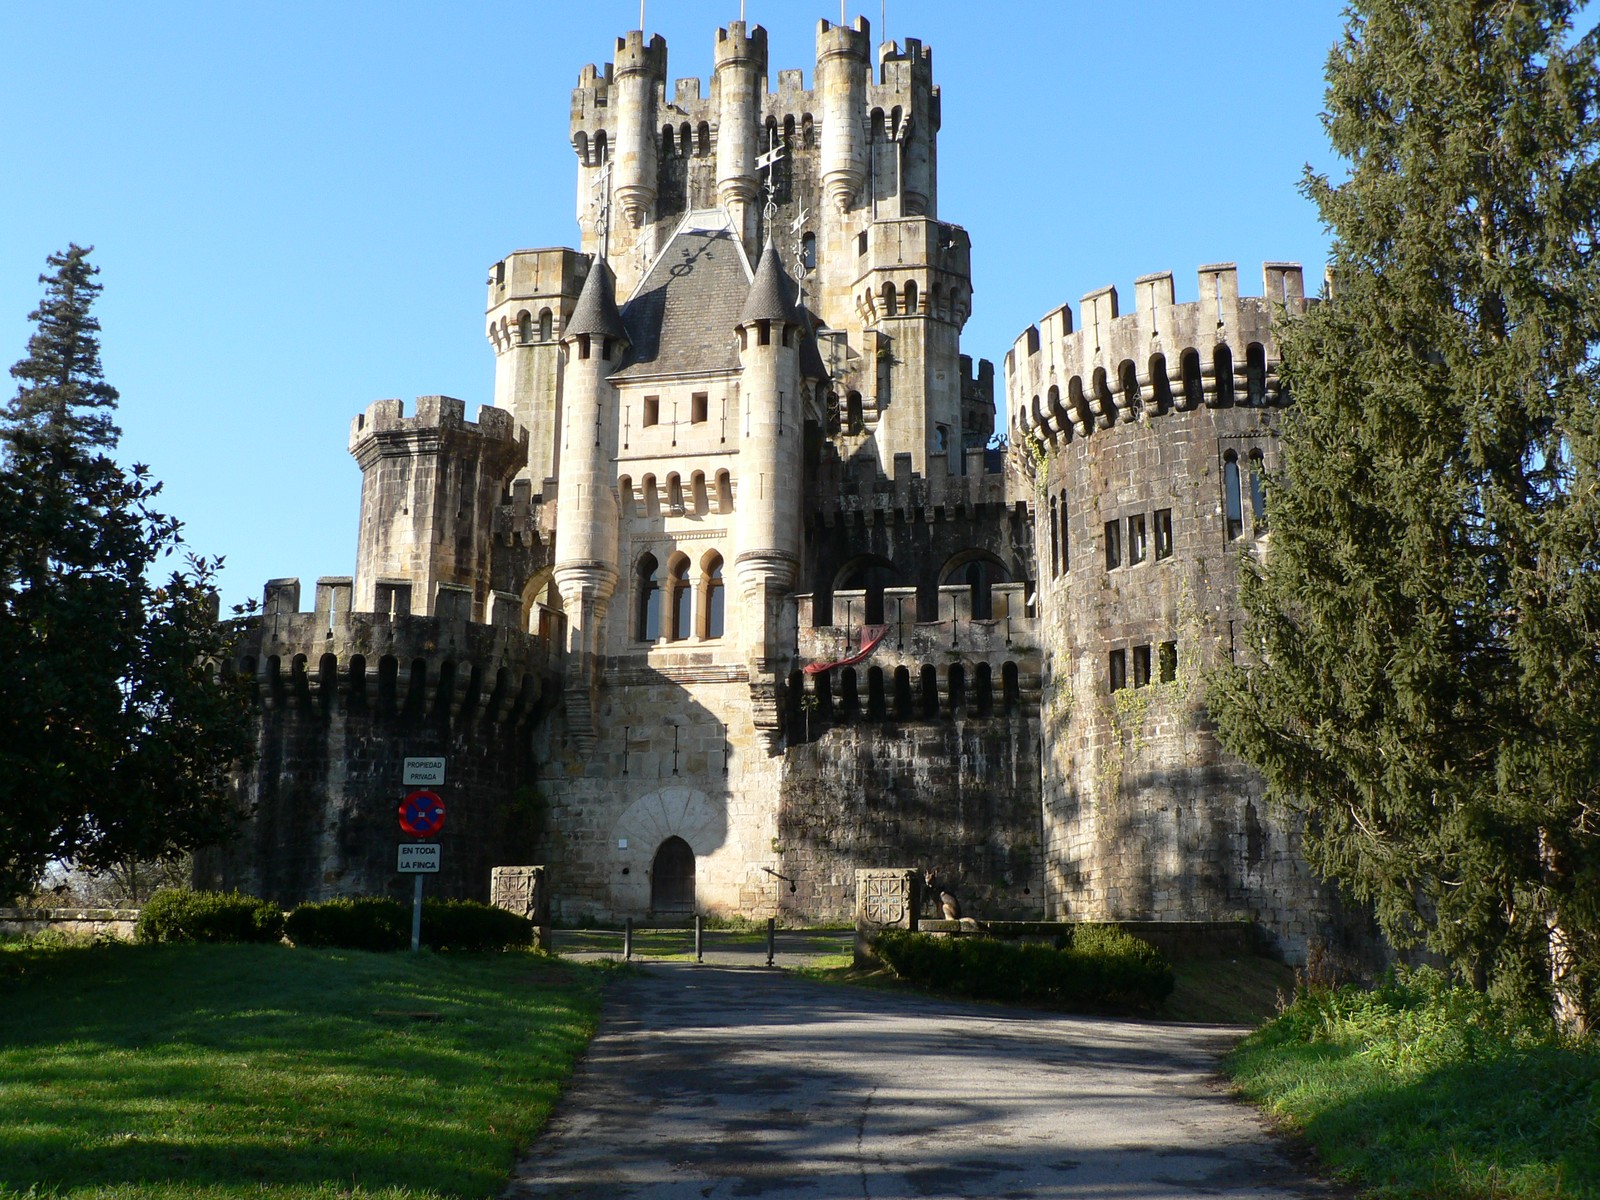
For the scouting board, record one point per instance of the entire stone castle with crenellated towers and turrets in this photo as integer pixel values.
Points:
(727, 594)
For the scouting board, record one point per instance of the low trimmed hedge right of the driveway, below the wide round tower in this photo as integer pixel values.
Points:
(1102, 967)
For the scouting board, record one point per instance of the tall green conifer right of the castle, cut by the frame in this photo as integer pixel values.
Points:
(1425, 673)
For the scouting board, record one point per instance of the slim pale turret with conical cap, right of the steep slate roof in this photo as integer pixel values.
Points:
(770, 452)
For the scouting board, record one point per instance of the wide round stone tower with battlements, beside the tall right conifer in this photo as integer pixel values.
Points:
(1148, 438)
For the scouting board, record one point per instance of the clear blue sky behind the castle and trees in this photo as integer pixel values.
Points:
(295, 206)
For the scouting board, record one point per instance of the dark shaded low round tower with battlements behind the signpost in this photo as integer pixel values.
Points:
(345, 698)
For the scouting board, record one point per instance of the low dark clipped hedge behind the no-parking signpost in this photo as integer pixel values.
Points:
(378, 924)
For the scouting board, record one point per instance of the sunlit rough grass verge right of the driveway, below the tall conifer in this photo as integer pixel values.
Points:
(1418, 1089)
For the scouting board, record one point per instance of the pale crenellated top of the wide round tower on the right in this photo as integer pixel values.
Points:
(1218, 351)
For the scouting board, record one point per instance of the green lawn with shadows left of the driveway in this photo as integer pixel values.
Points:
(263, 1071)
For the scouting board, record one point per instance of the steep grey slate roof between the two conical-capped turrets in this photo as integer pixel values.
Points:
(682, 318)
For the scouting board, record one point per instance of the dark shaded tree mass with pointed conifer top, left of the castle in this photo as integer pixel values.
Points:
(118, 737)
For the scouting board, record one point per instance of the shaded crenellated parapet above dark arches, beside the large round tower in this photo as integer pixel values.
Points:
(857, 490)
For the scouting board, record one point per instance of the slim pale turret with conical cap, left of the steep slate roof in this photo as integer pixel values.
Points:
(586, 556)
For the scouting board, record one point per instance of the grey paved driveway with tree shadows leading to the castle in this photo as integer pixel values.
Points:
(721, 1081)
